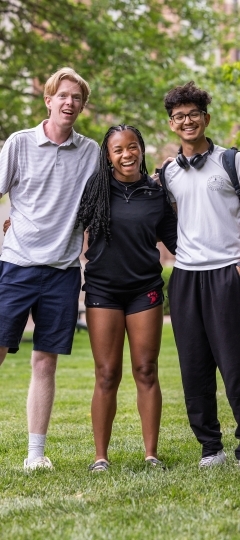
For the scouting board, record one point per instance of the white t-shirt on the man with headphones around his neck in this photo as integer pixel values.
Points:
(208, 214)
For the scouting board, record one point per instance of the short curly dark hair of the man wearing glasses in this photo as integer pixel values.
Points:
(189, 93)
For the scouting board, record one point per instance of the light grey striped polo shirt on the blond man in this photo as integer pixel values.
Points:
(45, 182)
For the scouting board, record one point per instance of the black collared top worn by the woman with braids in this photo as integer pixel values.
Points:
(140, 215)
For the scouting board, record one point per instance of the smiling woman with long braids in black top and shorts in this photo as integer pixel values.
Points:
(123, 283)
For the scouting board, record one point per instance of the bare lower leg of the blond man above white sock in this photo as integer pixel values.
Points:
(41, 391)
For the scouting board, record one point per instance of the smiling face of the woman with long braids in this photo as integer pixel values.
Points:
(125, 154)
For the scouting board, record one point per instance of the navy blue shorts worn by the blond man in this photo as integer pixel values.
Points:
(52, 296)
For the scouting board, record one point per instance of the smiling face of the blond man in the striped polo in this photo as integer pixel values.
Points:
(65, 106)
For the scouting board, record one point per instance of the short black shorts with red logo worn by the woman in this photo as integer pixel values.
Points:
(129, 302)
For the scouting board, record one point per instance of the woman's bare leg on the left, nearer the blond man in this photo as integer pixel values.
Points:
(107, 330)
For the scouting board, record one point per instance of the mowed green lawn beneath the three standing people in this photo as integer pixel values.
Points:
(130, 501)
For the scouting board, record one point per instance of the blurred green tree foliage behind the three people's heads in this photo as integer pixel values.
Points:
(130, 51)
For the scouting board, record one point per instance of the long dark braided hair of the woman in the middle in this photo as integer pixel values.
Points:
(94, 211)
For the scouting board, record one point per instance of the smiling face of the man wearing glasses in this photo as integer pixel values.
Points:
(189, 130)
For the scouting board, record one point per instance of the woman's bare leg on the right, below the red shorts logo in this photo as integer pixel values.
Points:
(144, 332)
